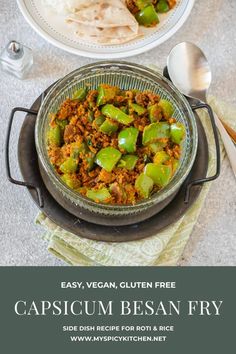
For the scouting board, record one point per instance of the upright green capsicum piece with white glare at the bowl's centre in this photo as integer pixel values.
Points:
(127, 139)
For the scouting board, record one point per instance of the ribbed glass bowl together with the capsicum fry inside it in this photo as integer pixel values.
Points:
(116, 140)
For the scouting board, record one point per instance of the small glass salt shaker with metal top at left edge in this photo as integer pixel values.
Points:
(16, 59)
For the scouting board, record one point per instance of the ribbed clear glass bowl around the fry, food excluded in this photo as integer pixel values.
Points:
(126, 76)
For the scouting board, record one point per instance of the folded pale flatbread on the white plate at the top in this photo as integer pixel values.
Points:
(99, 21)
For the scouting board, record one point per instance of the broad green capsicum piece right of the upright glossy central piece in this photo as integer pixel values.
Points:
(155, 131)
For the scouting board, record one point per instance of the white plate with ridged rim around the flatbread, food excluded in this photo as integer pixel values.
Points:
(55, 31)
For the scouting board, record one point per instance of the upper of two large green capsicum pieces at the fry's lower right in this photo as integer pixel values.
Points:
(160, 174)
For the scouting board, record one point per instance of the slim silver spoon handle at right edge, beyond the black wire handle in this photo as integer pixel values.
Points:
(228, 144)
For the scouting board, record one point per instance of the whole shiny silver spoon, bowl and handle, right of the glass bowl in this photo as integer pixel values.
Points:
(190, 72)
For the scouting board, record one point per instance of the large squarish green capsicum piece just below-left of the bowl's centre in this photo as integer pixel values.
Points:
(107, 158)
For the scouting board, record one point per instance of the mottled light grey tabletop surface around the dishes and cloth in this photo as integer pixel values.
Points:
(212, 26)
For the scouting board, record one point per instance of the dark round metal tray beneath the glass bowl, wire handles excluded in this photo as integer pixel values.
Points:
(28, 162)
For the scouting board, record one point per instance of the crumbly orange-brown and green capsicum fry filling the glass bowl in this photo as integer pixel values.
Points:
(115, 146)
